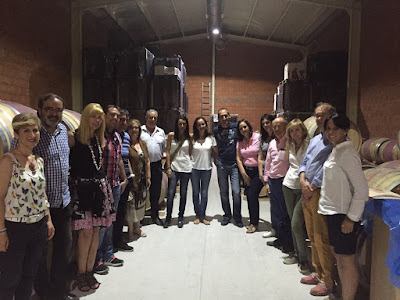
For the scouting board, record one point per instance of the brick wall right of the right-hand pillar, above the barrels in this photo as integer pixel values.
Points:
(379, 113)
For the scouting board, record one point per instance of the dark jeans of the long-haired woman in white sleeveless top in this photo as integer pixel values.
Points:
(184, 180)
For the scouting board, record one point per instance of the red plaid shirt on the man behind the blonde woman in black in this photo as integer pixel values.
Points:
(111, 157)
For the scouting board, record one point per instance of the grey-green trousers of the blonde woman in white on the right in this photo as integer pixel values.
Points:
(295, 210)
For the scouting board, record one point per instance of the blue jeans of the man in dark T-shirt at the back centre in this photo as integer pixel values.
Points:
(232, 172)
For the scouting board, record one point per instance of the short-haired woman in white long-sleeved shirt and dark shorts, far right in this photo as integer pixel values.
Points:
(344, 193)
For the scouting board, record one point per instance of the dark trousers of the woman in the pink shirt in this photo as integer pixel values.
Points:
(252, 191)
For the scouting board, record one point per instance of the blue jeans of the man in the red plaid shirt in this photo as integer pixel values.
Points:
(105, 250)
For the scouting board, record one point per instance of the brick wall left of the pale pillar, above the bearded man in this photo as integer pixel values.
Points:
(35, 55)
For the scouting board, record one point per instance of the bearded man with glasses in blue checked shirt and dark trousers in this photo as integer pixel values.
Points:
(53, 148)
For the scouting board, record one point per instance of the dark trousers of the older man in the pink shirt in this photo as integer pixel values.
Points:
(279, 212)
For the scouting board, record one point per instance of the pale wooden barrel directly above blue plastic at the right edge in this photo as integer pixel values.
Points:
(383, 179)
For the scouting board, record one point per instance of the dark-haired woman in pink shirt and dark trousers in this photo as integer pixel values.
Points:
(246, 155)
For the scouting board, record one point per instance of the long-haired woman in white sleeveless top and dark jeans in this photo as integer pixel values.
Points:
(179, 167)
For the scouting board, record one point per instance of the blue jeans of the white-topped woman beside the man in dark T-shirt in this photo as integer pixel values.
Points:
(200, 183)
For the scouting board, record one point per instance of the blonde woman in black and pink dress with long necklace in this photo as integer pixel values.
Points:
(90, 191)
